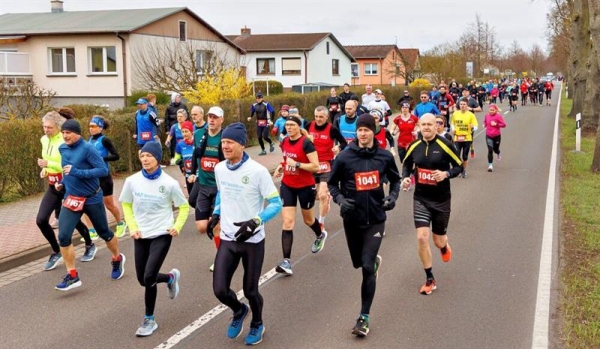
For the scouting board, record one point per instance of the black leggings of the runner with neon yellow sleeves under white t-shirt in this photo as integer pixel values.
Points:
(149, 257)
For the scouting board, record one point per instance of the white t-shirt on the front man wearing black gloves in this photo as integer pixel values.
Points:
(242, 196)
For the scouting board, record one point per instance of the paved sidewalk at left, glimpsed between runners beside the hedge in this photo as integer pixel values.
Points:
(21, 241)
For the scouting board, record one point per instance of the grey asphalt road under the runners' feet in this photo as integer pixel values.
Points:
(485, 298)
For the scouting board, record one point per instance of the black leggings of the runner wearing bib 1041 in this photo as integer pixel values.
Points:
(363, 244)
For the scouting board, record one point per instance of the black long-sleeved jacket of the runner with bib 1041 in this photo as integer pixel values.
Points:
(368, 208)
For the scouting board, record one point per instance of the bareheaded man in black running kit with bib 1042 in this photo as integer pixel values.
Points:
(435, 161)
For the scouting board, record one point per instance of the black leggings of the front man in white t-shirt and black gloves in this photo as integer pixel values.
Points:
(226, 262)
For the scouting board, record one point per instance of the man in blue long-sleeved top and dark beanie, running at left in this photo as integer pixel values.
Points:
(82, 166)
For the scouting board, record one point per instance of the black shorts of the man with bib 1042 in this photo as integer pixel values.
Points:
(427, 213)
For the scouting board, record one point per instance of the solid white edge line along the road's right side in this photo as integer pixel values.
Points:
(542, 306)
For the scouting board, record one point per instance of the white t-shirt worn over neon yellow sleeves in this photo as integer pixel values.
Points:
(152, 201)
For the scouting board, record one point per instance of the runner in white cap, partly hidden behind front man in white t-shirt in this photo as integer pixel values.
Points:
(208, 152)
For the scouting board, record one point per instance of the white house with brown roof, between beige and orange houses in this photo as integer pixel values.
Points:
(294, 59)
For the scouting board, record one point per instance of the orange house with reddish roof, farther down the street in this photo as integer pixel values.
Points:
(383, 64)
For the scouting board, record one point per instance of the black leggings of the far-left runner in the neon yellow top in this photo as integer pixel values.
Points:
(52, 202)
